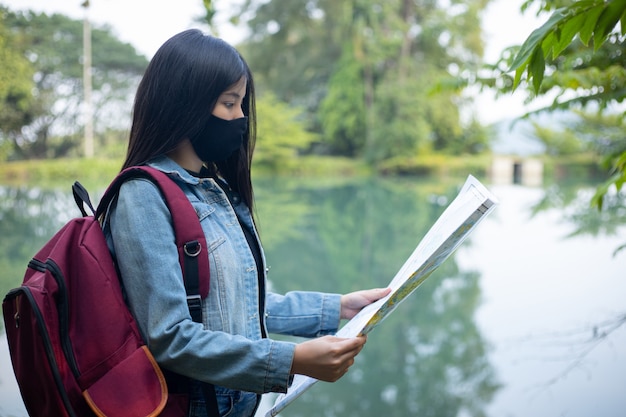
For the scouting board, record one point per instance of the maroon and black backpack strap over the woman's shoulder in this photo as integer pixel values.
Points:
(190, 240)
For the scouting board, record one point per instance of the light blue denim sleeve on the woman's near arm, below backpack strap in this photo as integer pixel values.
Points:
(143, 240)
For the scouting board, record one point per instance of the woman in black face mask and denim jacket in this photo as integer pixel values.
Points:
(194, 118)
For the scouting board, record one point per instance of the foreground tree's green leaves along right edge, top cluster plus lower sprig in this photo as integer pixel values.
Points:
(580, 54)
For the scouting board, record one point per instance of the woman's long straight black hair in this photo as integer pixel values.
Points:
(177, 94)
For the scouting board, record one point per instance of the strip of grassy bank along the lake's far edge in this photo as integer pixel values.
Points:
(60, 172)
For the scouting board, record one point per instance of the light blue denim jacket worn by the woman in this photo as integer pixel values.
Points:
(228, 349)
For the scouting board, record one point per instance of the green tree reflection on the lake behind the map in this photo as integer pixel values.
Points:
(428, 358)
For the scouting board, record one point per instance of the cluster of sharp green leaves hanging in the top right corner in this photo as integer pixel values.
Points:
(559, 60)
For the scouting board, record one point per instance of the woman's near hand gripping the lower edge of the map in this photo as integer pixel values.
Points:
(326, 358)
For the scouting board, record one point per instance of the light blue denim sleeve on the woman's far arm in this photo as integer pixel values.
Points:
(302, 313)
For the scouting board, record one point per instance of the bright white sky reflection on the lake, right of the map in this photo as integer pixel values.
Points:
(540, 285)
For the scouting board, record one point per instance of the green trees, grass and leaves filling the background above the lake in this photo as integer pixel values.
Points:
(348, 88)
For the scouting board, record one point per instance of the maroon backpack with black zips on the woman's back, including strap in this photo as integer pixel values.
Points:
(75, 347)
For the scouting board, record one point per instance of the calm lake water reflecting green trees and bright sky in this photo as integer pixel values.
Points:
(523, 320)
